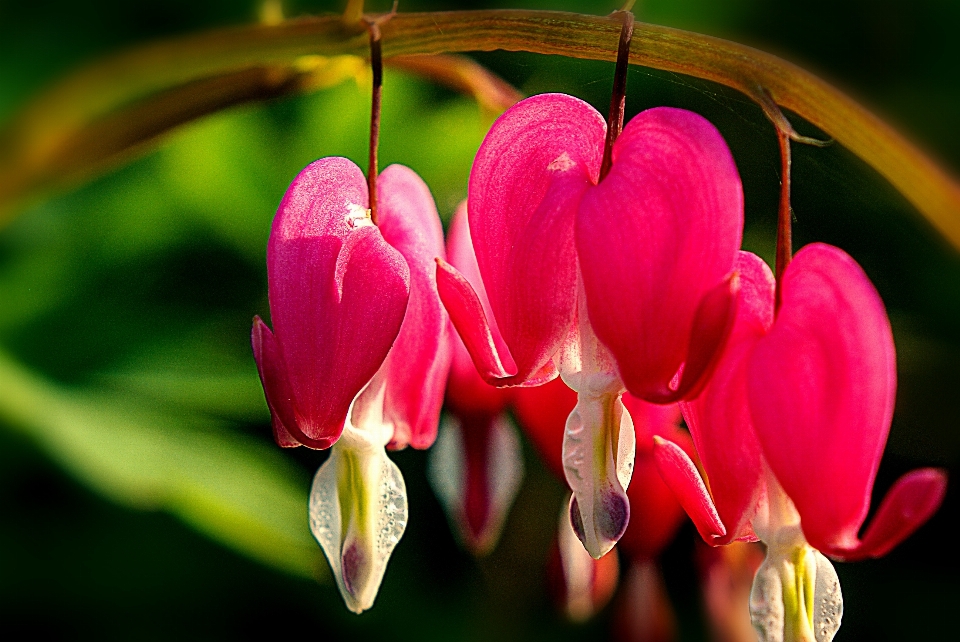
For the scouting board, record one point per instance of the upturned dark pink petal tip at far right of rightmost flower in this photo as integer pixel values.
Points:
(912, 501)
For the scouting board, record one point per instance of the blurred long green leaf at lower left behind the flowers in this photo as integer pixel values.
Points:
(235, 490)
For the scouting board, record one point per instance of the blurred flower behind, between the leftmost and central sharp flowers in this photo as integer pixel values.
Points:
(476, 465)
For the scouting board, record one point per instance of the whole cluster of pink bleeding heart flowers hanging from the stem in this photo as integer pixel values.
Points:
(632, 289)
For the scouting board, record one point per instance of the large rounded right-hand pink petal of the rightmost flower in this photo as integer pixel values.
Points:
(821, 390)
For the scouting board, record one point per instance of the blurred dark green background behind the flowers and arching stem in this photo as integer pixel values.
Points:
(140, 492)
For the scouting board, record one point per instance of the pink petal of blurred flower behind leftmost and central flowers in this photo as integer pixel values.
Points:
(467, 392)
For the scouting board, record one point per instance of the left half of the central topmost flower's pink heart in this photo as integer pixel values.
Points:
(533, 167)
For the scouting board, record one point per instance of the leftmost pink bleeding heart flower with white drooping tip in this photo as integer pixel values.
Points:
(358, 355)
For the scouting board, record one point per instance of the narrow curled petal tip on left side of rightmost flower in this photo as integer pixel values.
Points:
(680, 474)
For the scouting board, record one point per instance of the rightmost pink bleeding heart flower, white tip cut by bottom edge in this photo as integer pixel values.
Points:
(790, 432)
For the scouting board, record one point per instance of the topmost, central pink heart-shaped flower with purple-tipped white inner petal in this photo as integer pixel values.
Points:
(622, 285)
